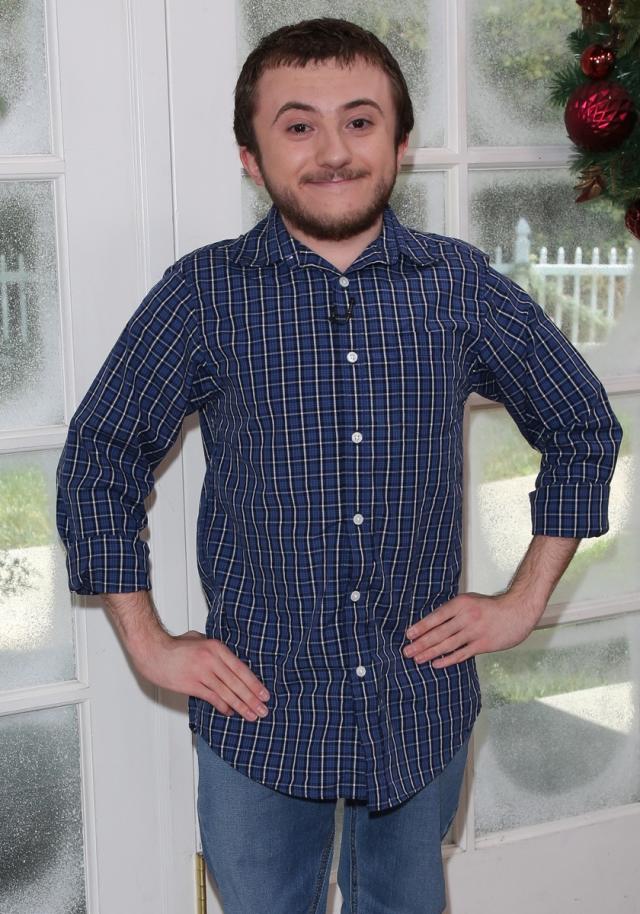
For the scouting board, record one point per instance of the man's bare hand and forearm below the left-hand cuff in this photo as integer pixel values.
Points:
(190, 663)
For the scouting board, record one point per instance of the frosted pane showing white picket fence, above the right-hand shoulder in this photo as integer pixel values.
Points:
(516, 213)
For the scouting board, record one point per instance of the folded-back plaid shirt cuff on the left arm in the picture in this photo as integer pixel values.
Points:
(107, 564)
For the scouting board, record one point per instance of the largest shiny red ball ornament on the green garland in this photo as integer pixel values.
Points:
(599, 116)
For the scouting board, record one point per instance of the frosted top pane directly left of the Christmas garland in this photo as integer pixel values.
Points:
(514, 47)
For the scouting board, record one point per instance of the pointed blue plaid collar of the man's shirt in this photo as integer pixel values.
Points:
(269, 242)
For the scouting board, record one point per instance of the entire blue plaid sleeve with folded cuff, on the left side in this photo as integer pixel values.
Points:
(156, 373)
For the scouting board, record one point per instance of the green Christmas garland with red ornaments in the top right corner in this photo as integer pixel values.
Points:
(600, 93)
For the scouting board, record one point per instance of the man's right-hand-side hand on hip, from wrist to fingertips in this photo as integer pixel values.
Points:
(470, 624)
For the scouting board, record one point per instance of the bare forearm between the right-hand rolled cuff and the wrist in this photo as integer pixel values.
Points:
(542, 566)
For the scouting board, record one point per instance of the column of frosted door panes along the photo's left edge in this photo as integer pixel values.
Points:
(41, 693)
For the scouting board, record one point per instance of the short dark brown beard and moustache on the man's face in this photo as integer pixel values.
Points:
(331, 228)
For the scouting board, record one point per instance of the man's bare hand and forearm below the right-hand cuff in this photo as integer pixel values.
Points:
(473, 623)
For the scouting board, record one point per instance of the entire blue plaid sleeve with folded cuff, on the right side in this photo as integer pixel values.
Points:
(524, 361)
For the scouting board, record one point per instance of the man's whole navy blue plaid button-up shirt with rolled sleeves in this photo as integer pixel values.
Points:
(330, 516)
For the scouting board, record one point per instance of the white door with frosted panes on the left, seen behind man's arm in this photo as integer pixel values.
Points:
(94, 800)
